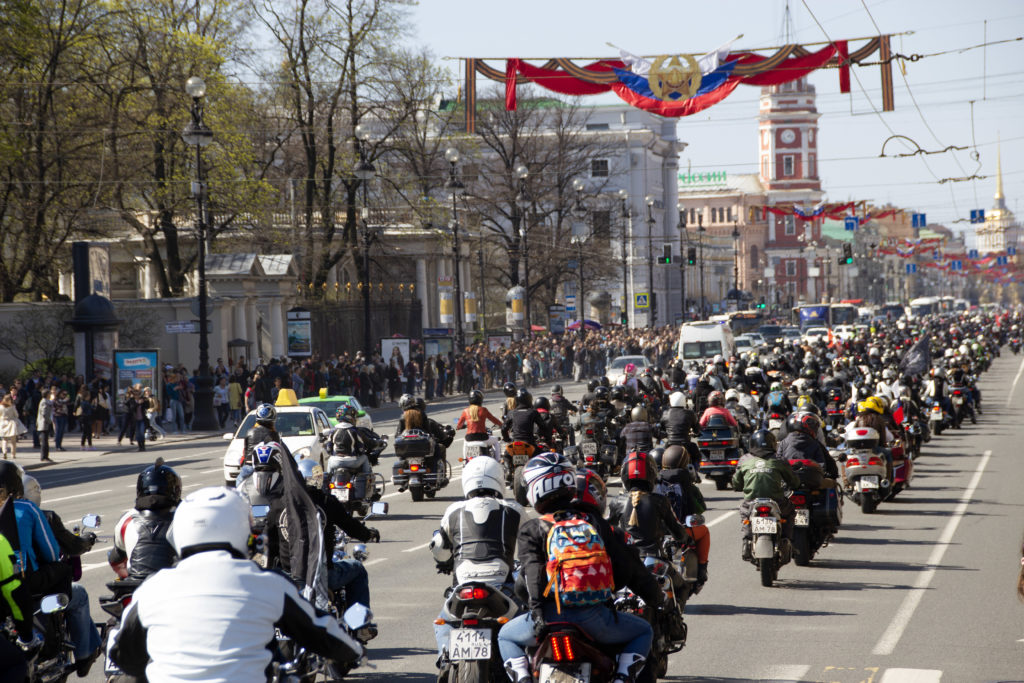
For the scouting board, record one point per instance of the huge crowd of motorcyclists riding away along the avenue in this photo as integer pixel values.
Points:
(782, 425)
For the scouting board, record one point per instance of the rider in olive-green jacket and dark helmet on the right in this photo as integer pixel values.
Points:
(763, 477)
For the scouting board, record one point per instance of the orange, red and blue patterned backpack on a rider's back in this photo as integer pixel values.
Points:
(579, 568)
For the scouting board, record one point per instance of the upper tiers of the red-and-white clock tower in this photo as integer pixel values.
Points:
(789, 138)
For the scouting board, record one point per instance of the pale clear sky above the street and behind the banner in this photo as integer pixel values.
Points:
(852, 127)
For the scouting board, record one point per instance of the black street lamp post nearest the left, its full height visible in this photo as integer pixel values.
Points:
(197, 135)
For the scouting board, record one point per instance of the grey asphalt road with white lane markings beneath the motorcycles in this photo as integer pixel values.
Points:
(921, 591)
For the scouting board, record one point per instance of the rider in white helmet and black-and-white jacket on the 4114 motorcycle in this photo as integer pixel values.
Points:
(477, 538)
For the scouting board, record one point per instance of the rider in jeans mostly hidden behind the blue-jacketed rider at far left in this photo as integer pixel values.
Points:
(80, 627)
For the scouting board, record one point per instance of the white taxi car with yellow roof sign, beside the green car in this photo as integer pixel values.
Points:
(305, 430)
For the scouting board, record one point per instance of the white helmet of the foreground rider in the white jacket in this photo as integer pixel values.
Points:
(211, 519)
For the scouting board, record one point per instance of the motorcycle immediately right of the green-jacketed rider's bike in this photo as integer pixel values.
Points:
(818, 513)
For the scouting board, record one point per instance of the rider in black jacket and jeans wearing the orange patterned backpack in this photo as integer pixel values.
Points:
(551, 488)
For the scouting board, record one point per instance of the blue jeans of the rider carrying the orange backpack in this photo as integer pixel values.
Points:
(629, 632)
